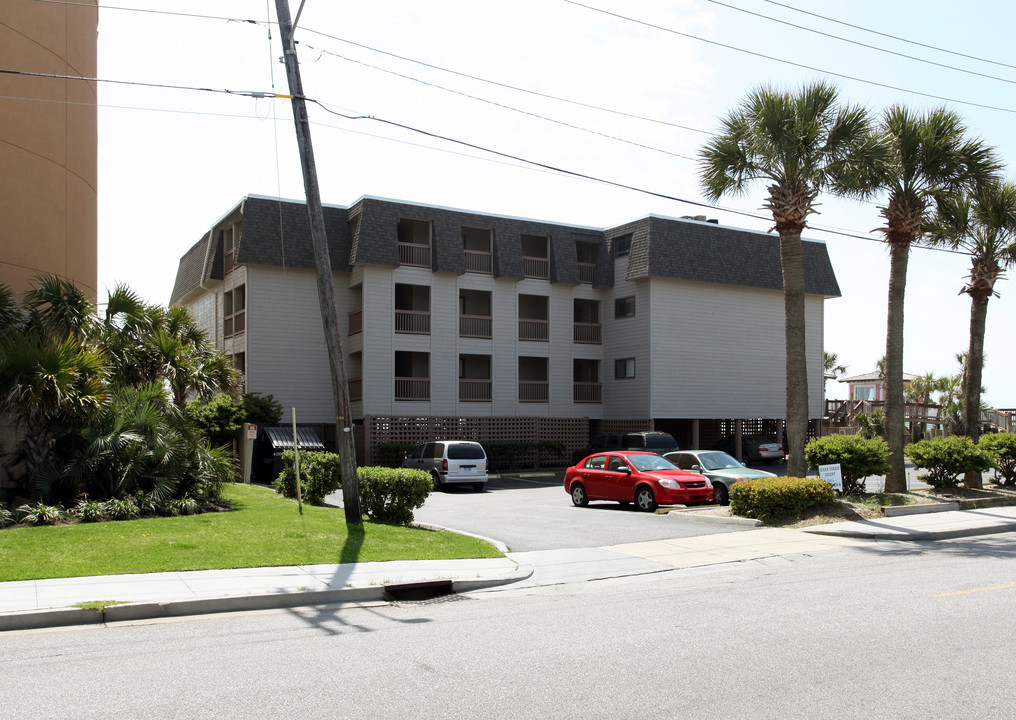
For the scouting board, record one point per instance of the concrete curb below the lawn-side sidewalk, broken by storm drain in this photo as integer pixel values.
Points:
(69, 617)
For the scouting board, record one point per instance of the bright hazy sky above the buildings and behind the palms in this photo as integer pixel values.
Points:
(627, 98)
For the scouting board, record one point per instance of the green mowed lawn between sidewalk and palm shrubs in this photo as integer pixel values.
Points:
(265, 530)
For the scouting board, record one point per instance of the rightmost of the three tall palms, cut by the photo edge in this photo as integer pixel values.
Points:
(983, 224)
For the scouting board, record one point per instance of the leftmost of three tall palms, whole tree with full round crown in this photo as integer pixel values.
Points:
(801, 144)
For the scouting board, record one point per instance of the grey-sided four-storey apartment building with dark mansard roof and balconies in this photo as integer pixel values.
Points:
(478, 326)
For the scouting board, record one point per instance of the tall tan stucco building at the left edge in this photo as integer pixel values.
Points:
(48, 144)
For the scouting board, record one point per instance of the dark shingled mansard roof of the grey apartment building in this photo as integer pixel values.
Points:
(278, 233)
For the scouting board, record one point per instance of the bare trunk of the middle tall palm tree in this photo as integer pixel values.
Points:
(897, 480)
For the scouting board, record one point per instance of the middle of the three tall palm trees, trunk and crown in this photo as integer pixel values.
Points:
(929, 158)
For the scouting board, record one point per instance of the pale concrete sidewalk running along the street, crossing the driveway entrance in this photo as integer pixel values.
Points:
(46, 604)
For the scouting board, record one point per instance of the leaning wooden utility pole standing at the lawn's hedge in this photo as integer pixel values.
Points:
(323, 261)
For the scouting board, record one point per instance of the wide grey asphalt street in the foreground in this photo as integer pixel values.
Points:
(888, 631)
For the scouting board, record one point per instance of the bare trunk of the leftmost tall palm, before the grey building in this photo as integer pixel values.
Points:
(792, 259)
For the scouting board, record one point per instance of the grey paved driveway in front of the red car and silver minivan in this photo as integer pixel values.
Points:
(536, 514)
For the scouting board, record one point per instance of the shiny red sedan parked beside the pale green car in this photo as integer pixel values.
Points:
(644, 479)
